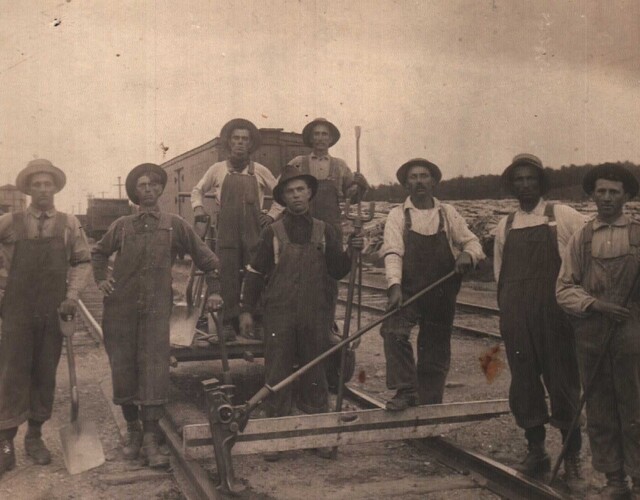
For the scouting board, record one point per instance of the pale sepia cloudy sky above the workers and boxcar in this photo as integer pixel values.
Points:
(99, 86)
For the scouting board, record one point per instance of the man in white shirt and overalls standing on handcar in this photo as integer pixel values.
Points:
(239, 185)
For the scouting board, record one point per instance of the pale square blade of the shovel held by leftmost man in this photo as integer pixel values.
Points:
(81, 446)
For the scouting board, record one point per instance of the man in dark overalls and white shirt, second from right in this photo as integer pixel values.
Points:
(538, 337)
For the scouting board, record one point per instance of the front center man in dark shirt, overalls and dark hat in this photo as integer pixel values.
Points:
(297, 255)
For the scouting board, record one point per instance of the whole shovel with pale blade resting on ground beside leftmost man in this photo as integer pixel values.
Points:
(81, 446)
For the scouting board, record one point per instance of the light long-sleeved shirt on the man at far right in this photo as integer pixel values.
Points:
(609, 241)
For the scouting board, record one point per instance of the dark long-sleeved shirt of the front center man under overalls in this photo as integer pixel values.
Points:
(298, 228)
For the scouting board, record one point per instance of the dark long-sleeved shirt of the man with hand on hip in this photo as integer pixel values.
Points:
(184, 240)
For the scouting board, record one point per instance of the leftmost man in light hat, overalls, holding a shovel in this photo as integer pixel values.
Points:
(48, 261)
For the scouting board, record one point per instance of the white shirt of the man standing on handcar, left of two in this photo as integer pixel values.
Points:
(214, 177)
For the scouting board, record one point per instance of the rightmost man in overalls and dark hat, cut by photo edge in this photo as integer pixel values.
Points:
(599, 268)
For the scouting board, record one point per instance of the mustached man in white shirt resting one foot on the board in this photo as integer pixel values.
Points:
(424, 240)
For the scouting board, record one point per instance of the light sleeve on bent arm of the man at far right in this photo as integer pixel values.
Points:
(570, 294)
